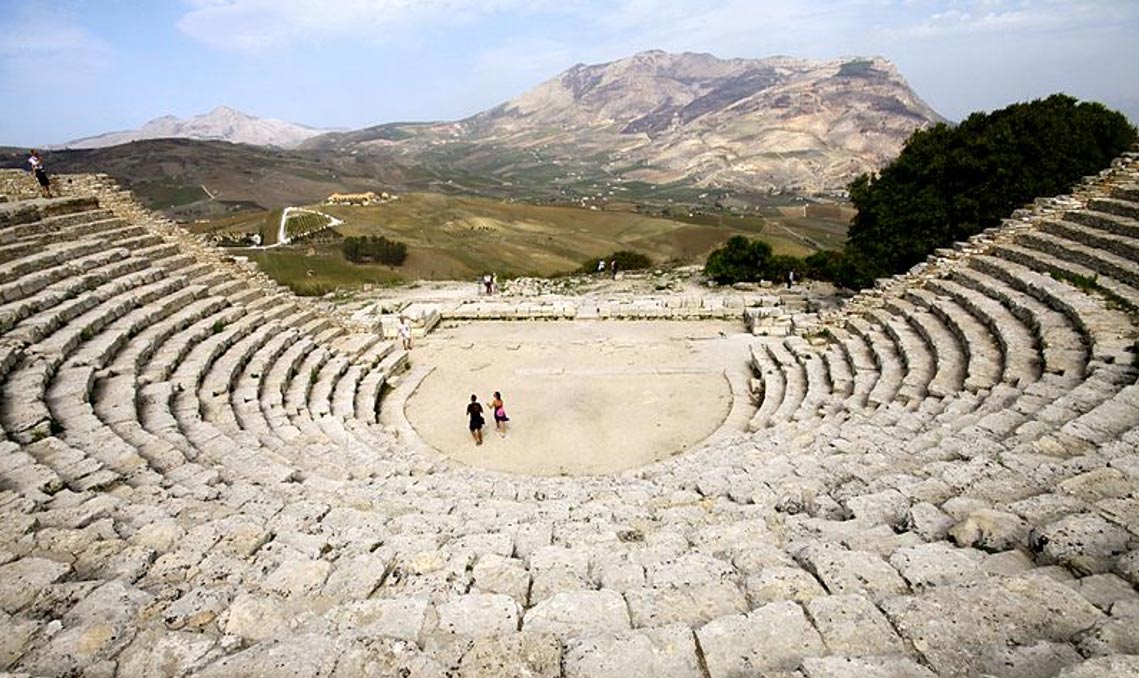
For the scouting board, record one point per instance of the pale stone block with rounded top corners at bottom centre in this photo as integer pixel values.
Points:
(579, 614)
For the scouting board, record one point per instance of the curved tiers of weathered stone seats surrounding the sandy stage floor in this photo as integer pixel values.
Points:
(939, 480)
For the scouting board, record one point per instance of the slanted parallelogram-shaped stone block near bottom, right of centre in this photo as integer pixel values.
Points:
(853, 626)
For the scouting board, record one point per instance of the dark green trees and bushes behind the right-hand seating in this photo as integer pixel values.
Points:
(948, 184)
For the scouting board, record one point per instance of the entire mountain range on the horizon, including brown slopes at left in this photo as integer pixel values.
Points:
(650, 128)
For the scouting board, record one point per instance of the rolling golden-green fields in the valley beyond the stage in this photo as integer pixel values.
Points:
(452, 238)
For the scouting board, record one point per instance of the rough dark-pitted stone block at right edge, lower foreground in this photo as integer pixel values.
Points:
(1085, 542)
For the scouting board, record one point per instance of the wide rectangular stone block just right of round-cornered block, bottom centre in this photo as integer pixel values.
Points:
(692, 605)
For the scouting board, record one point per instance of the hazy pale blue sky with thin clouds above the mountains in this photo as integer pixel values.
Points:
(79, 68)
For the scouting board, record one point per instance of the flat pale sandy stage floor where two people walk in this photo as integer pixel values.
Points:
(584, 397)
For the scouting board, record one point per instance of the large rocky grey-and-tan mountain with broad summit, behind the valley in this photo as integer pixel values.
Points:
(663, 119)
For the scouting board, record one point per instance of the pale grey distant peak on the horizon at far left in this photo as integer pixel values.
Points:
(220, 125)
